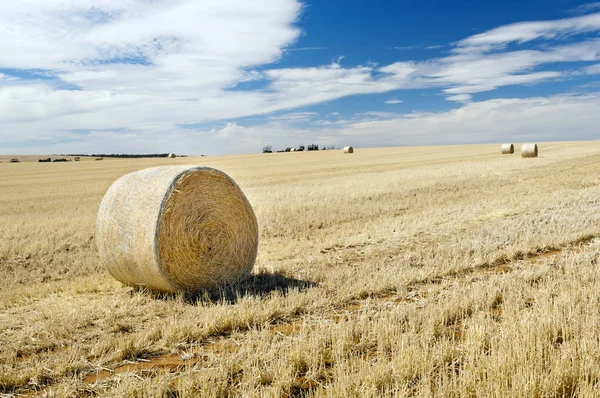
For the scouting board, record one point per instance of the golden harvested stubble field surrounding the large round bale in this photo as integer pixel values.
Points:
(424, 271)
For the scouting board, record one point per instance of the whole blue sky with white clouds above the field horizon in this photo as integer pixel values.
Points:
(228, 76)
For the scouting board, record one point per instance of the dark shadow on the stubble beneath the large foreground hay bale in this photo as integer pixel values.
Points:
(256, 285)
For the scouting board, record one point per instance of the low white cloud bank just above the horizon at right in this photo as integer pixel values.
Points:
(541, 119)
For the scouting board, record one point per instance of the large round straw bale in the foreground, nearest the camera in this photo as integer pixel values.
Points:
(176, 228)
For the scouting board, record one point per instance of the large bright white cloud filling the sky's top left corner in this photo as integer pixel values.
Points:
(64, 35)
